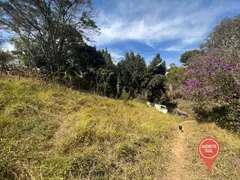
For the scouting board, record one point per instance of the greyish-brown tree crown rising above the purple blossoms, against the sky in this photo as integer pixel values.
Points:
(225, 38)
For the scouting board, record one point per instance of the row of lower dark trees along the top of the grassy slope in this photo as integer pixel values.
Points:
(93, 70)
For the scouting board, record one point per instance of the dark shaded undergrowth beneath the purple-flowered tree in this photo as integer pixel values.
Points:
(222, 116)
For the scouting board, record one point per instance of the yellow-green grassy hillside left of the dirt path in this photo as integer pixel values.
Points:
(50, 132)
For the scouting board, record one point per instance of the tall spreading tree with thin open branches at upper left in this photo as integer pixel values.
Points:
(49, 29)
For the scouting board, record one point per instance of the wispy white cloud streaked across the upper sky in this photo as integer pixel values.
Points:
(157, 21)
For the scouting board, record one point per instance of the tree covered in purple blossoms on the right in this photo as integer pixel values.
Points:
(214, 79)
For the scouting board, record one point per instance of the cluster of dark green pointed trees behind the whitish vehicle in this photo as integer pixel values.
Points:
(138, 79)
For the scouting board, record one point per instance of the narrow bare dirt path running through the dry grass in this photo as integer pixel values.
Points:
(176, 170)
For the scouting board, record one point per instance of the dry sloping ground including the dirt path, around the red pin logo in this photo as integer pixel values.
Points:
(187, 164)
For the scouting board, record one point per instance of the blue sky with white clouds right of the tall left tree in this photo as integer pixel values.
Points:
(169, 27)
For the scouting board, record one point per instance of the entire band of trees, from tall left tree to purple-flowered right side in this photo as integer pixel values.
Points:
(51, 36)
